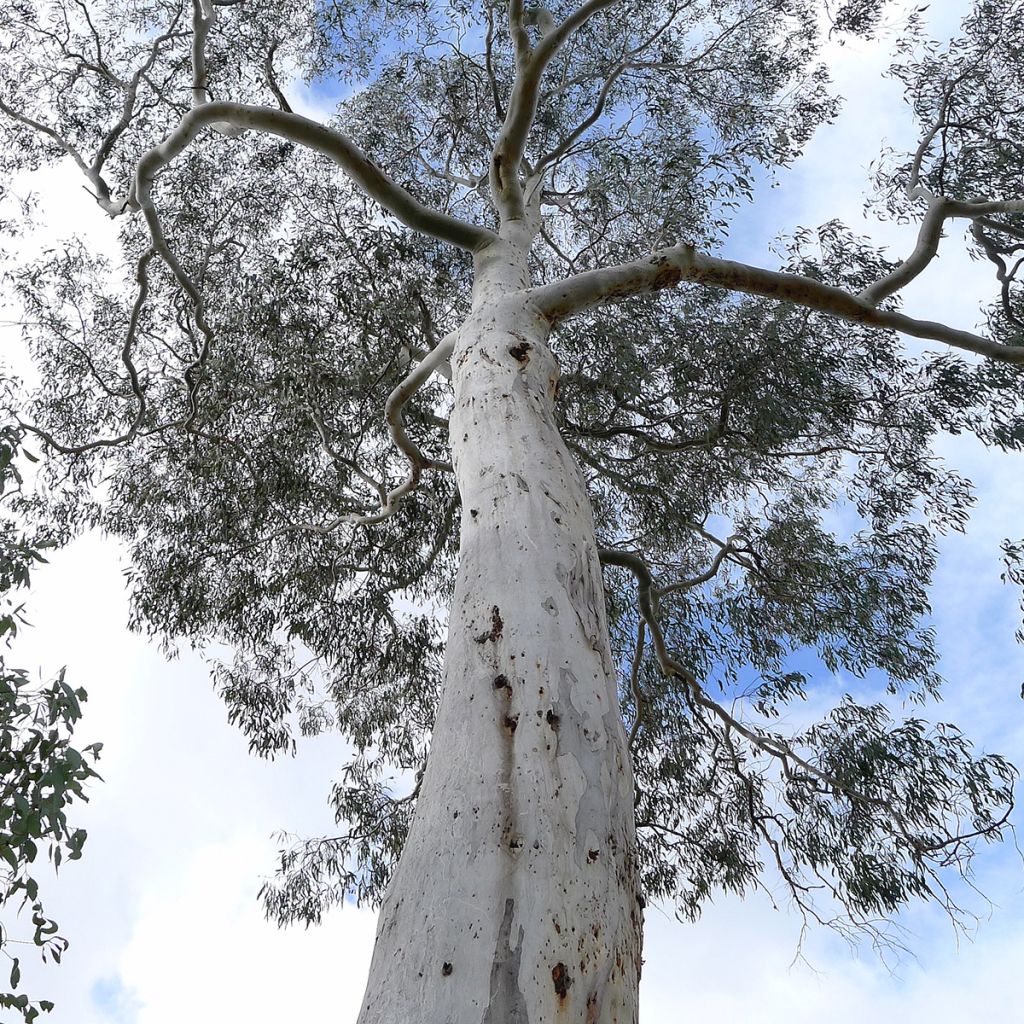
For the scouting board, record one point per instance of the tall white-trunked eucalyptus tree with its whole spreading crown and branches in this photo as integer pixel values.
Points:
(468, 340)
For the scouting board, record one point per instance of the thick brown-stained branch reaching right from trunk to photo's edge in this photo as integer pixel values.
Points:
(670, 268)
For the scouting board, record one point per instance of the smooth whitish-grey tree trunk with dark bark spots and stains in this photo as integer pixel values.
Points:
(516, 900)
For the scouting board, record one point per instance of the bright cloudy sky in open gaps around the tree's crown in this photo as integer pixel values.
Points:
(162, 910)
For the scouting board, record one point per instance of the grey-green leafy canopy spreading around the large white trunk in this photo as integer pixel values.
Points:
(774, 463)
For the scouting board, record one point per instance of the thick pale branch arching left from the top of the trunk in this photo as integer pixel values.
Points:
(331, 144)
